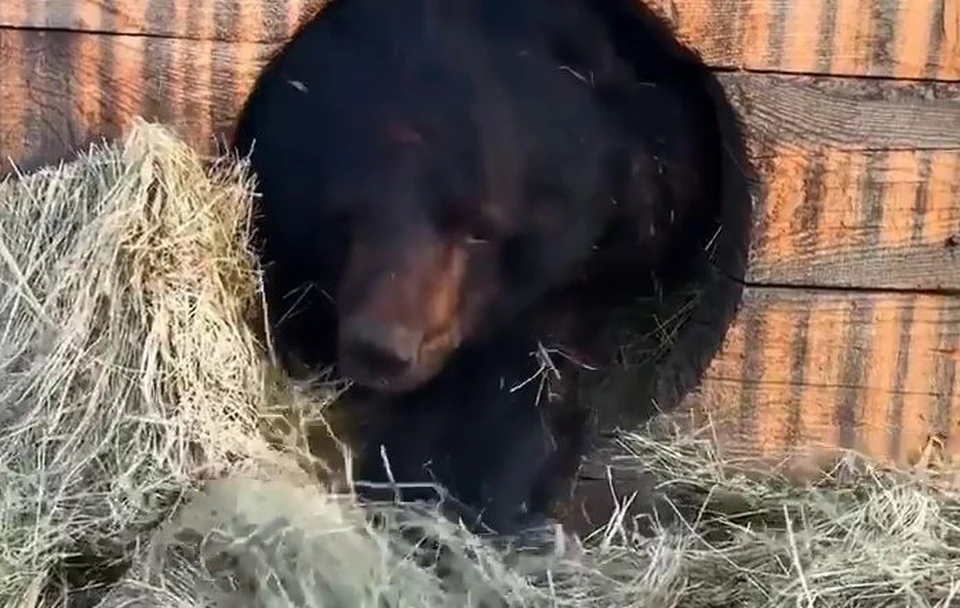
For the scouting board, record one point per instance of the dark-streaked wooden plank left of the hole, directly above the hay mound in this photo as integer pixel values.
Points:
(60, 90)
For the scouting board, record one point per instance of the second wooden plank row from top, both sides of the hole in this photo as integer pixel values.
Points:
(861, 176)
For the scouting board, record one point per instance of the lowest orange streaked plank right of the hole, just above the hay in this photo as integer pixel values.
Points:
(805, 372)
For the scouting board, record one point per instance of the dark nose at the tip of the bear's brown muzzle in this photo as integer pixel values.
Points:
(375, 353)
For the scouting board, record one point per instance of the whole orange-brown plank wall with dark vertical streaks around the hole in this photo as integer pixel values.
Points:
(850, 330)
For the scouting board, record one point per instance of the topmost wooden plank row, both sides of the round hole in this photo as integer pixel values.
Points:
(892, 38)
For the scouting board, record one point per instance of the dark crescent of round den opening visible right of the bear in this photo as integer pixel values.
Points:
(655, 345)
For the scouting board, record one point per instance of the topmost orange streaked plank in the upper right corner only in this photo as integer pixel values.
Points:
(890, 38)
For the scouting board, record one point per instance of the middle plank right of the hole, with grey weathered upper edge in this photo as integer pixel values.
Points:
(862, 180)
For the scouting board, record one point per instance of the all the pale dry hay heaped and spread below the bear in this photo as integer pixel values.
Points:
(134, 470)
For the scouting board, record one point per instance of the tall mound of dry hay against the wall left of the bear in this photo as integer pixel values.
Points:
(126, 371)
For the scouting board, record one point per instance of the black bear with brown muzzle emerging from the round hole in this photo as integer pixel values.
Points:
(451, 187)
